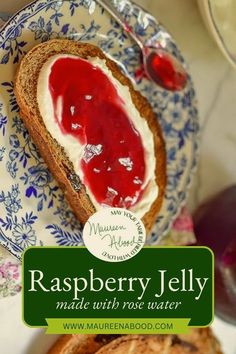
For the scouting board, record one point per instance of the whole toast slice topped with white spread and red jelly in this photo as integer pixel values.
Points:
(98, 135)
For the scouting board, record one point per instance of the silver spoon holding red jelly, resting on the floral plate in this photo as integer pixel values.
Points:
(160, 66)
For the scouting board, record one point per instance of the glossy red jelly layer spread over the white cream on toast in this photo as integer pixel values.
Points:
(113, 163)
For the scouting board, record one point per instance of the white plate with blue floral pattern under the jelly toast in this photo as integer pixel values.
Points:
(32, 207)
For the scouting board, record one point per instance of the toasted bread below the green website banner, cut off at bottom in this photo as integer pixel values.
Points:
(198, 341)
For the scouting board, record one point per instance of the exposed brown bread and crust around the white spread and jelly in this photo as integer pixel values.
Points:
(53, 154)
